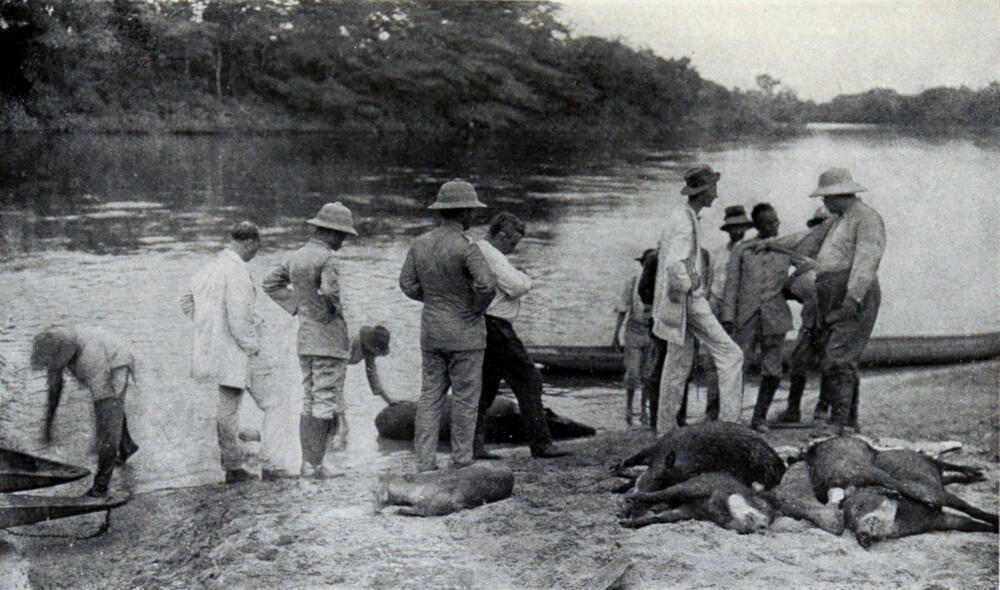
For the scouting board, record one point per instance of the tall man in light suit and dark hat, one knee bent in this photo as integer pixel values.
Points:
(681, 311)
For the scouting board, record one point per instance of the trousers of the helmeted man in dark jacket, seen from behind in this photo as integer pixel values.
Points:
(462, 370)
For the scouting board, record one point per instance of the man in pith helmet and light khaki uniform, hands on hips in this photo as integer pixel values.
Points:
(308, 285)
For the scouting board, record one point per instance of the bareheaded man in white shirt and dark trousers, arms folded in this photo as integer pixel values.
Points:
(505, 357)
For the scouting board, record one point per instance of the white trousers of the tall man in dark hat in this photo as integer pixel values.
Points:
(703, 325)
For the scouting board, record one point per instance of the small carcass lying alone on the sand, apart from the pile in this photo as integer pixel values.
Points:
(435, 493)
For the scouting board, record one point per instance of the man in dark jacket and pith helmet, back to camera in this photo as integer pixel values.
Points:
(446, 271)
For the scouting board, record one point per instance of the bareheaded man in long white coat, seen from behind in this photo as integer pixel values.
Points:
(225, 347)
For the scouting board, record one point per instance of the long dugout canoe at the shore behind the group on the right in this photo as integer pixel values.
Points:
(887, 351)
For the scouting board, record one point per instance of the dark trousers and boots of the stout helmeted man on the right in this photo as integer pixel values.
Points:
(843, 343)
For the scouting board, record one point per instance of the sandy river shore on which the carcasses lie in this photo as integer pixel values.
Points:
(558, 530)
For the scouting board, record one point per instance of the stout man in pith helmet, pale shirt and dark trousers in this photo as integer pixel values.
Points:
(848, 248)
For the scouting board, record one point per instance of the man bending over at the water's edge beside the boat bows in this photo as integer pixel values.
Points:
(103, 364)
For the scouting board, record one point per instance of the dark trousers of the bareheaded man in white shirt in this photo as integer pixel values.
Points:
(507, 359)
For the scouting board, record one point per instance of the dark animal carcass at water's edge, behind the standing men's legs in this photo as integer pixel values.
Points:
(503, 423)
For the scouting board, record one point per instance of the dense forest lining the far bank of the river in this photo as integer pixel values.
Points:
(424, 72)
